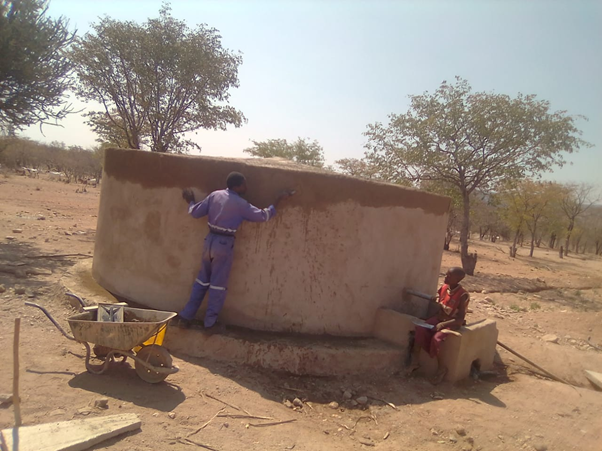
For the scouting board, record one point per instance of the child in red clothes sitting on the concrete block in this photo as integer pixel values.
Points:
(453, 301)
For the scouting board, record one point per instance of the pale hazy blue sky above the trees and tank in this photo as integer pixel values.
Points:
(325, 69)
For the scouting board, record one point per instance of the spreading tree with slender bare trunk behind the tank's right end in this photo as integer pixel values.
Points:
(471, 141)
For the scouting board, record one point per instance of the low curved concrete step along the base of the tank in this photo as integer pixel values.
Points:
(295, 354)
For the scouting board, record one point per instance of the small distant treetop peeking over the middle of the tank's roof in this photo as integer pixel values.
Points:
(302, 151)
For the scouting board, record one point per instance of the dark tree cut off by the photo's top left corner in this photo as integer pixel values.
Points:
(34, 68)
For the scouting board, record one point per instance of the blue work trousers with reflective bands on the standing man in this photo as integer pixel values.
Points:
(218, 253)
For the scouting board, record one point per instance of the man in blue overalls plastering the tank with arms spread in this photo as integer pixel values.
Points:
(225, 211)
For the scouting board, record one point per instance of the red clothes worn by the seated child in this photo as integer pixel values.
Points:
(450, 300)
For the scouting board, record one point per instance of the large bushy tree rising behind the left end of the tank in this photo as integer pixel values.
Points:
(159, 80)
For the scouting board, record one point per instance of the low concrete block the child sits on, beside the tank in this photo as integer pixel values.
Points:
(476, 343)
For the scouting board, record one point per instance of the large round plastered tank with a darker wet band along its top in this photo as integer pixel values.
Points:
(336, 252)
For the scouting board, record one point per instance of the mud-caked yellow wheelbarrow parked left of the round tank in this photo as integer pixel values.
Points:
(138, 337)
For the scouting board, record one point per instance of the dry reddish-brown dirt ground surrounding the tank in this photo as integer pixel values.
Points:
(518, 409)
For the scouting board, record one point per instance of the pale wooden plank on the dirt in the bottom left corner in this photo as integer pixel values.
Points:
(75, 435)
